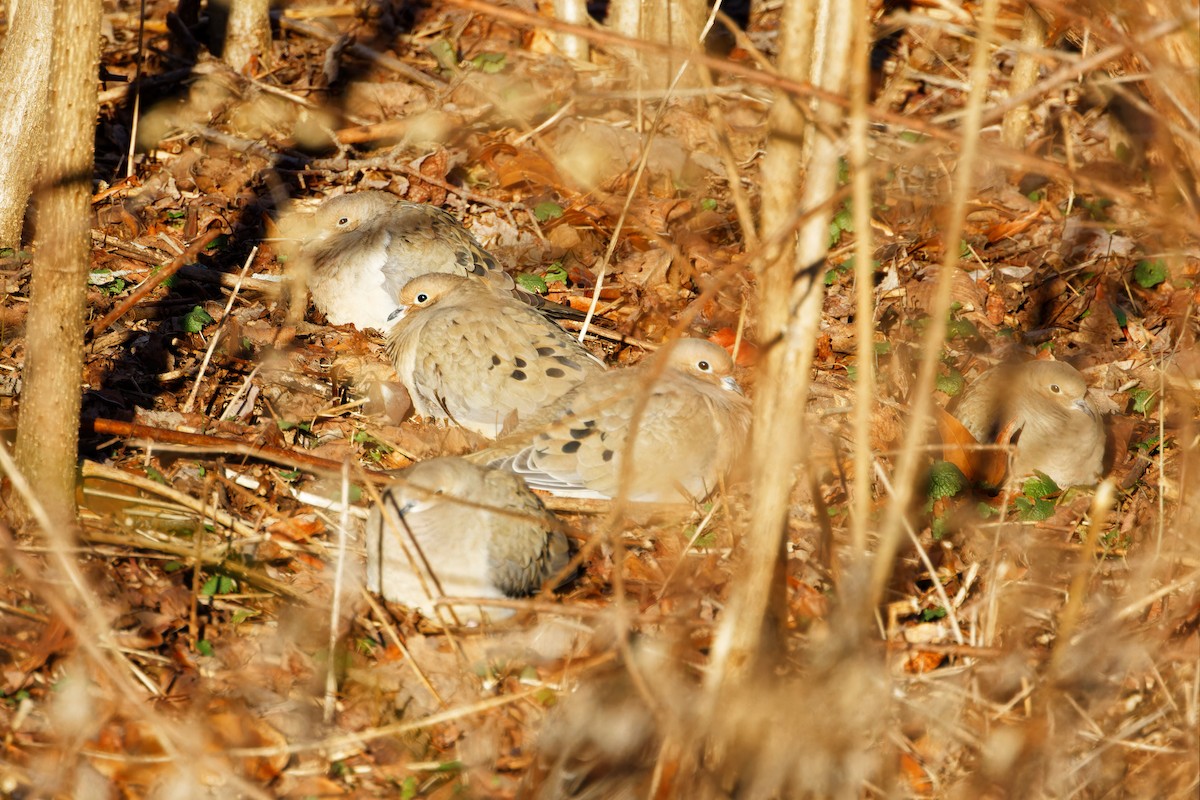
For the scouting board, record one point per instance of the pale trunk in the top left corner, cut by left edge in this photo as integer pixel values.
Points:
(25, 85)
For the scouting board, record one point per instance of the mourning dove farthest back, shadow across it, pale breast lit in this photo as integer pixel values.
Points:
(364, 248)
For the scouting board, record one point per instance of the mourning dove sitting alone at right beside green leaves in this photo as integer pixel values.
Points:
(1046, 408)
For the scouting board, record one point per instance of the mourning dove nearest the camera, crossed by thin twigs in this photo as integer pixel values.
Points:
(479, 531)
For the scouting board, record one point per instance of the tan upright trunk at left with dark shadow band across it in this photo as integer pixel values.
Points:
(49, 426)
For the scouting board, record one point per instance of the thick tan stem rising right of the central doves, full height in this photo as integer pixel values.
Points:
(791, 290)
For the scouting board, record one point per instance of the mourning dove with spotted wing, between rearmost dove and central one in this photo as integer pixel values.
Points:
(481, 358)
